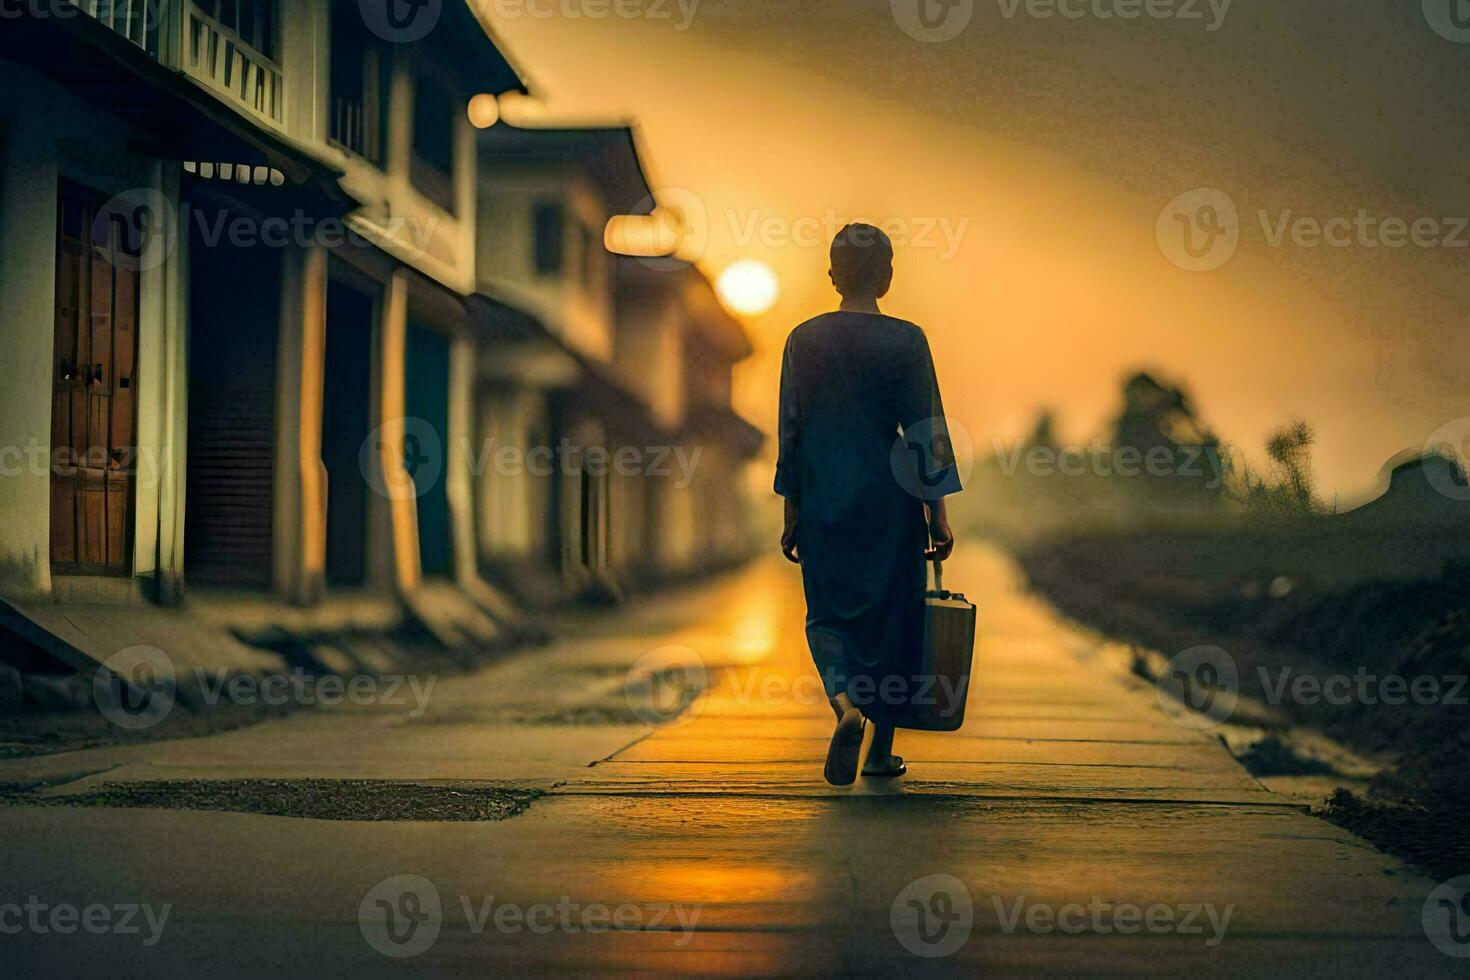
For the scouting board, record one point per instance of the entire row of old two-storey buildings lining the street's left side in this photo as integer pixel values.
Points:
(276, 306)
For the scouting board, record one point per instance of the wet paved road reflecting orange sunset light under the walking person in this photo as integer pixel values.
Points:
(1069, 828)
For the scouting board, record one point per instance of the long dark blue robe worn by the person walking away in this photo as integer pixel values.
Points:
(850, 384)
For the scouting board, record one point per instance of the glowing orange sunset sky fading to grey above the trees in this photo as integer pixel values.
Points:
(1030, 159)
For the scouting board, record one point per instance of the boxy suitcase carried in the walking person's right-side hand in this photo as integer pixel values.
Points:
(949, 652)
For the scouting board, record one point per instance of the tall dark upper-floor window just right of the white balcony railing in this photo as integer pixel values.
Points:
(362, 77)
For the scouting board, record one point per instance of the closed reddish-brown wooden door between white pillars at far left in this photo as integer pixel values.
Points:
(93, 389)
